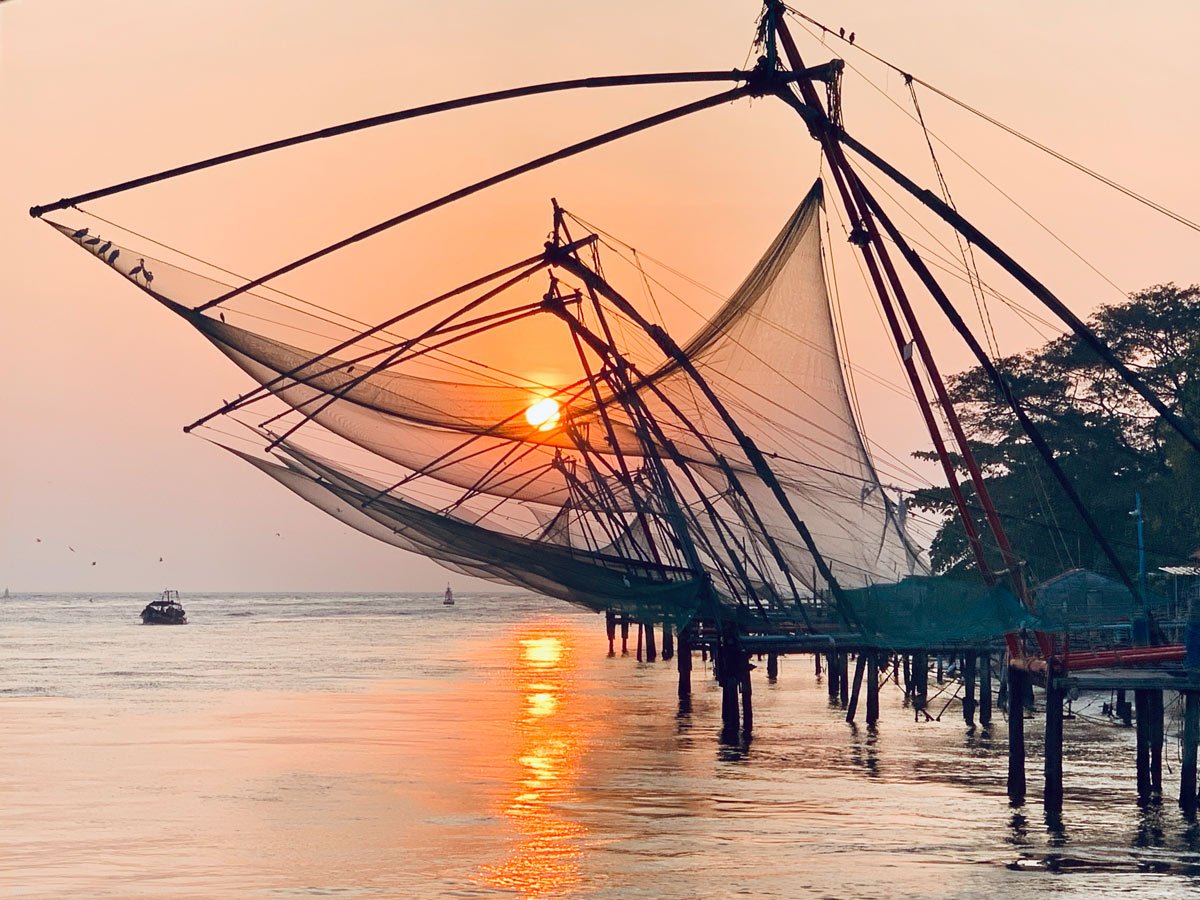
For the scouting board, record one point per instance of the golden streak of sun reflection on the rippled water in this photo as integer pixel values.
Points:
(547, 860)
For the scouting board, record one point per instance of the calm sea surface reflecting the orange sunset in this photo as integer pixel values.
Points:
(352, 746)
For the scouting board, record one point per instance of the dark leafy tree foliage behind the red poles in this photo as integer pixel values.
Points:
(1109, 443)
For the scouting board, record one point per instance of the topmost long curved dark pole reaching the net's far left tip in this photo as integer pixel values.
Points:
(401, 116)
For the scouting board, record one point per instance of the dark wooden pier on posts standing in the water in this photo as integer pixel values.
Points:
(853, 670)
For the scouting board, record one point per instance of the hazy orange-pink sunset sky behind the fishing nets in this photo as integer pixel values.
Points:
(97, 382)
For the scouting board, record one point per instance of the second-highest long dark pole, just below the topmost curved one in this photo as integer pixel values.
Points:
(562, 154)
